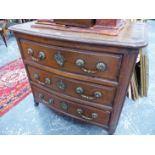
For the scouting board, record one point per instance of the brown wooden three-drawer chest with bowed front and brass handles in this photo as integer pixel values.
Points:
(82, 75)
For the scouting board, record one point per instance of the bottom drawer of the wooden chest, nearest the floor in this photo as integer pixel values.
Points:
(85, 113)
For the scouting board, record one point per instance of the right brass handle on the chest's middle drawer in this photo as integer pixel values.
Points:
(80, 91)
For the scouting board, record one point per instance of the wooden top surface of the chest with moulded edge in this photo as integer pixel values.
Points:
(132, 36)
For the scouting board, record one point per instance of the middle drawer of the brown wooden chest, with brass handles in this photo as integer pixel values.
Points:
(85, 91)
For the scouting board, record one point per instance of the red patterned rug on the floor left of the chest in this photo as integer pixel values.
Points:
(14, 85)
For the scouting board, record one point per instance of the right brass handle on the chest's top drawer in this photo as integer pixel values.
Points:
(100, 66)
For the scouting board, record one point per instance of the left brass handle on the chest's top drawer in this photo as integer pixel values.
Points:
(41, 55)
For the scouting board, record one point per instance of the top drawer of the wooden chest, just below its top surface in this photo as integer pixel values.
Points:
(88, 63)
